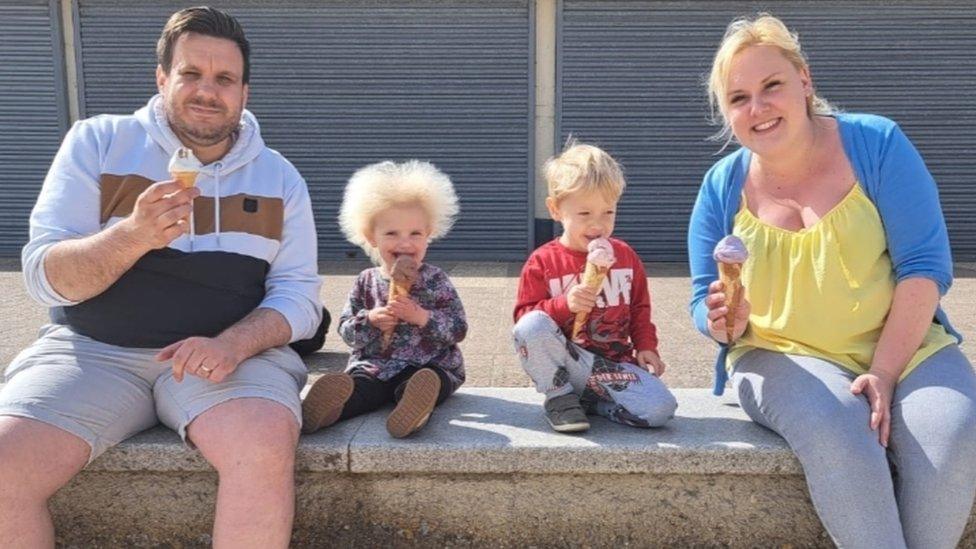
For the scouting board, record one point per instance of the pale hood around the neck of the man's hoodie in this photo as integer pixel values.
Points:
(249, 143)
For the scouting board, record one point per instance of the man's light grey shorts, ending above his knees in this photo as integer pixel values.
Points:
(104, 394)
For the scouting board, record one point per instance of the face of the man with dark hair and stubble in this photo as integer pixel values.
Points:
(204, 92)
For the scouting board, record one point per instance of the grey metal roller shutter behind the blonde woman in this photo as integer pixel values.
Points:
(631, 78)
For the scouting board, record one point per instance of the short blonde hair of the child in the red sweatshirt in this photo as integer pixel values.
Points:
(583, 168)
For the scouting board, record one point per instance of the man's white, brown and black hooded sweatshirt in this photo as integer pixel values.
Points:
(254, 243)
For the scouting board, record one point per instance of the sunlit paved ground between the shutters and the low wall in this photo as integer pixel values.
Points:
(488, 292)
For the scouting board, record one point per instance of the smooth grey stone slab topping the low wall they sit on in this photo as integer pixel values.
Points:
(502, 430)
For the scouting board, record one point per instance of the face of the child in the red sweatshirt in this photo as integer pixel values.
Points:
(585, 216)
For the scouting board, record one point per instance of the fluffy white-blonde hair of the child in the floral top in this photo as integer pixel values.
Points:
(381, 186)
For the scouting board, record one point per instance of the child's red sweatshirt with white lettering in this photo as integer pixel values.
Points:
(621, 320)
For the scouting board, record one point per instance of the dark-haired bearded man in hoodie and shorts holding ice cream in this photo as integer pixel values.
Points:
(155, 316)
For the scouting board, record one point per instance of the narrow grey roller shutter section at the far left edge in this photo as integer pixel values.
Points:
(33, 112)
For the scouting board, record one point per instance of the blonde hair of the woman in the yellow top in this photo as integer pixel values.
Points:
(742, 33)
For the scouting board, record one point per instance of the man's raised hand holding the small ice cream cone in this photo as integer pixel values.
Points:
(160, 215)
